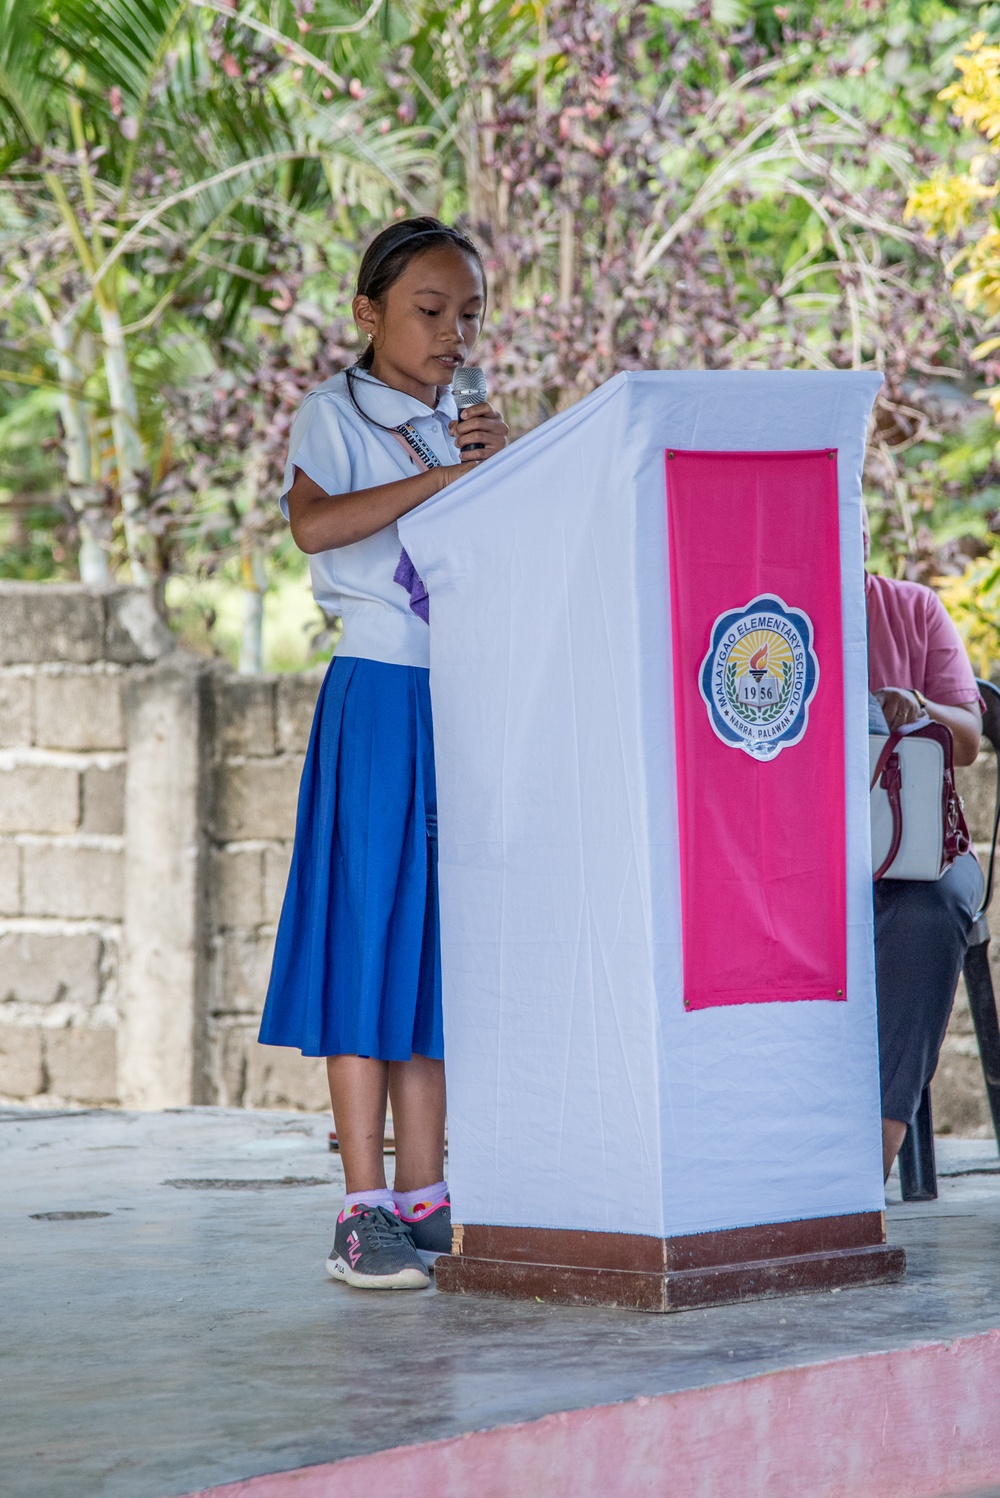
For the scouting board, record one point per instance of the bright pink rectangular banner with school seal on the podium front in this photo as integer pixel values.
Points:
(760, 724)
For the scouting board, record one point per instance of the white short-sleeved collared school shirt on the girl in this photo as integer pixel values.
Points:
(342, 453)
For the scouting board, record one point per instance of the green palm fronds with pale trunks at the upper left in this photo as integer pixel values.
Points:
(159, 160)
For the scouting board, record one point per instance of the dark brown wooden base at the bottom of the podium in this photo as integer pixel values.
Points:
(670, 1274)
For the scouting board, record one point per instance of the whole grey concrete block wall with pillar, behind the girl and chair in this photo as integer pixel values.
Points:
(147, 810)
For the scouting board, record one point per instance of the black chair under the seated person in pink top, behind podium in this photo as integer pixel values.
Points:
(918, 1175)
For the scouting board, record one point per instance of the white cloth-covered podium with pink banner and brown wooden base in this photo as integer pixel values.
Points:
(649, 679)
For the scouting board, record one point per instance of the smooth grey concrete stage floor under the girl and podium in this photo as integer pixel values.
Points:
(189, 1335)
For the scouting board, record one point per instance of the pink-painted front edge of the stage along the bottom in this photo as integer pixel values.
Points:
(914, 1424)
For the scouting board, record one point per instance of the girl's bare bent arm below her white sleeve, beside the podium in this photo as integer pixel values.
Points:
(323, 522)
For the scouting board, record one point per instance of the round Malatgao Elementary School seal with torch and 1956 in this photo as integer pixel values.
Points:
(760, 676)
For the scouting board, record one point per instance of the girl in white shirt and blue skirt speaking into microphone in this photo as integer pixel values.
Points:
(357, 962)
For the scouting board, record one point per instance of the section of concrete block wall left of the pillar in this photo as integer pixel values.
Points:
(65, 657)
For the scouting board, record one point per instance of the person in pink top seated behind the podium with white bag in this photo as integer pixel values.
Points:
(918, 669)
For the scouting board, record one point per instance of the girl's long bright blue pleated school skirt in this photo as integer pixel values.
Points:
(357, 959)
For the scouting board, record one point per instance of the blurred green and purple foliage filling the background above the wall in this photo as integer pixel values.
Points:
(688, 184)
